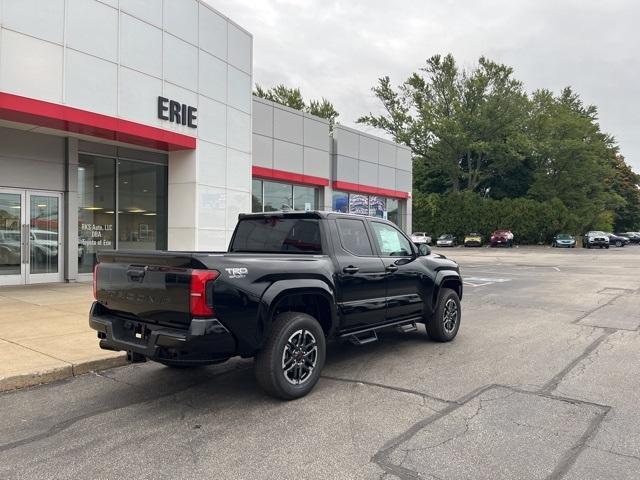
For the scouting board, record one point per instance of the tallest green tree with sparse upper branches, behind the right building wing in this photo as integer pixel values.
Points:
(467, 125)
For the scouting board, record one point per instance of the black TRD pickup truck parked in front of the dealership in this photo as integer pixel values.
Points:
(289, 282)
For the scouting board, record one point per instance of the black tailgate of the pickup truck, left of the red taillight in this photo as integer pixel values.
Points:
(147, 286)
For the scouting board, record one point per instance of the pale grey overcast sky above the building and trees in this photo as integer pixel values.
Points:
(339, 48)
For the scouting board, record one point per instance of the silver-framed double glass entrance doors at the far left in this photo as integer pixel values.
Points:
(30, 237)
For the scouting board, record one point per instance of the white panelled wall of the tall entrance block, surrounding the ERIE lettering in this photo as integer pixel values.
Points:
(116, 57)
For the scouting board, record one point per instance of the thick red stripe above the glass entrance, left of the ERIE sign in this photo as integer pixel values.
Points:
(15, 108)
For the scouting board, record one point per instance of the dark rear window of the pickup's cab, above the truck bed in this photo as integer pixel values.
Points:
(277, 235)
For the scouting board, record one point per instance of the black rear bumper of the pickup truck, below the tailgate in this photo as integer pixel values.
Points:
(206, 340)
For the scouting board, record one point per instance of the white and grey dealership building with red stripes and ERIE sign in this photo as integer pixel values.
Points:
(131, 124)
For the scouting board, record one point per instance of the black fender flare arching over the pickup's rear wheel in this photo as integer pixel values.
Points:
(282, 288)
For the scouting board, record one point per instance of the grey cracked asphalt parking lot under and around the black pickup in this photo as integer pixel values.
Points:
(541, 382)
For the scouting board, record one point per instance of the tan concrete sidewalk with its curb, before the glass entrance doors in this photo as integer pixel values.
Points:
(45, 335)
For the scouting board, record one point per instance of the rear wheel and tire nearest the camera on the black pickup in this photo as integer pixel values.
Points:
(292, 358)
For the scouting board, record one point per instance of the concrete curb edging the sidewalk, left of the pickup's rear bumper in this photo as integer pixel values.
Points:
(59, 373)
